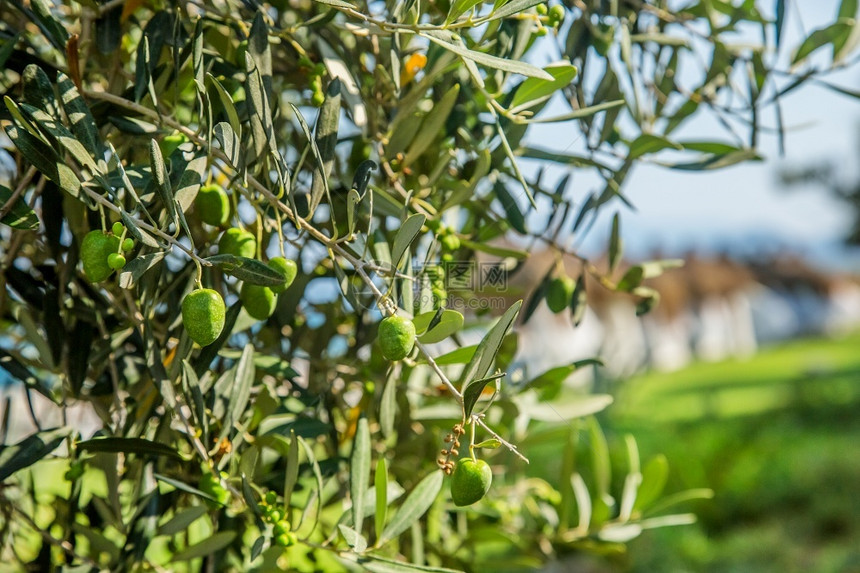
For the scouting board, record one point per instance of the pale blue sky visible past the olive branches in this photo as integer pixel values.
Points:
(743, 205)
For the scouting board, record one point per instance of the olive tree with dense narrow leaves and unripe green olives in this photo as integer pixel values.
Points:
(209, 207)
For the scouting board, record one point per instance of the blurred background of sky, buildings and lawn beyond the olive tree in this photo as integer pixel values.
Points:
(747, 376)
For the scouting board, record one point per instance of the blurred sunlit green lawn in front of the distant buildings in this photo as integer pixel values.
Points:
(777, 437)
